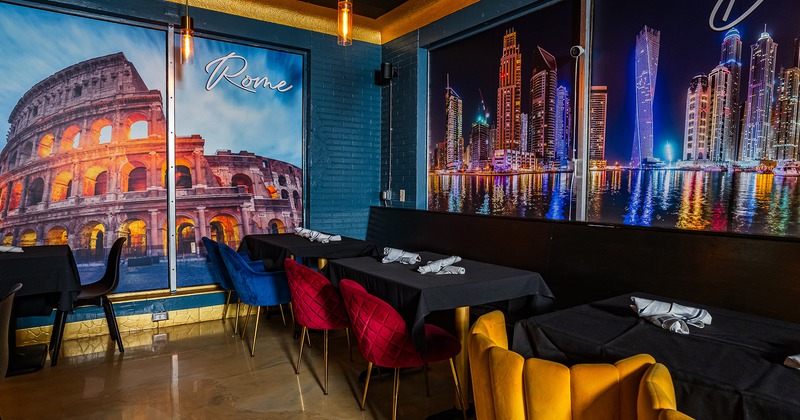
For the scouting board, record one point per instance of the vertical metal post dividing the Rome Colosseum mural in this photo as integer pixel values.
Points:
(172, 243)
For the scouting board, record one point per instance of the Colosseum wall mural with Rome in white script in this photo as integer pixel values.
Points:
(85, 157)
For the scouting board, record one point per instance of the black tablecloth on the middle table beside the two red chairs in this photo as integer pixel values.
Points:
(416, 295)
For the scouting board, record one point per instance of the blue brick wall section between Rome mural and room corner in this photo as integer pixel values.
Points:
(344, 147)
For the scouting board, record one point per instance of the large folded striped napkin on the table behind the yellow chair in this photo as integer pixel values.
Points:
(670, 316)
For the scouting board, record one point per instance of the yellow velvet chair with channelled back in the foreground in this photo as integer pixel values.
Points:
(507, 386)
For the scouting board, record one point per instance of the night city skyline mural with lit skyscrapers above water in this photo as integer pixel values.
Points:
(693, 122)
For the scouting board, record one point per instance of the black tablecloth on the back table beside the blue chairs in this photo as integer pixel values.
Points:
(278, 247)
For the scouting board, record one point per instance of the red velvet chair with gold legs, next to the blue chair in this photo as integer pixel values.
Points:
(317, 305)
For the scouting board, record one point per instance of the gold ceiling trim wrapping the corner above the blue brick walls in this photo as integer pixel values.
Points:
(406, 18)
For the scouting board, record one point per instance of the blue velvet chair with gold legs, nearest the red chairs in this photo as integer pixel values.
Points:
(254, 288)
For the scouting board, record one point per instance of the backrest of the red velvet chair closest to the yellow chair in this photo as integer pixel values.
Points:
(379, 329)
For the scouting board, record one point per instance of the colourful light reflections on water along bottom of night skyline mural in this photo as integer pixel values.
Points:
(742, 202)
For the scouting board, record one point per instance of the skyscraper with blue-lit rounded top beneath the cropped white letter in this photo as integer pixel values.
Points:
(731, 59)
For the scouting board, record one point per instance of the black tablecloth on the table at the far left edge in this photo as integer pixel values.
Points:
(48, 275)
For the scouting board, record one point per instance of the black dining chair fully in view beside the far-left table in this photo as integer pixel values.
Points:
(94, 294)
